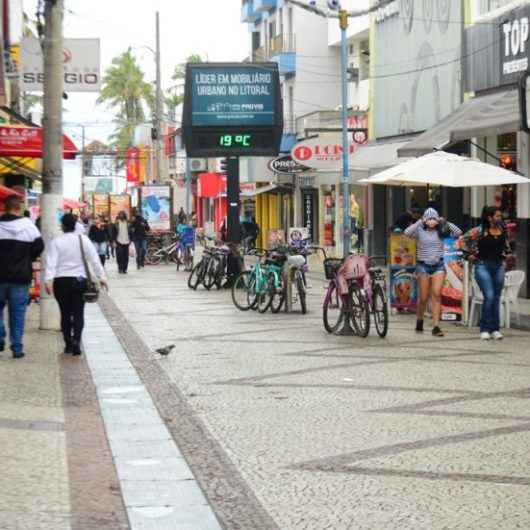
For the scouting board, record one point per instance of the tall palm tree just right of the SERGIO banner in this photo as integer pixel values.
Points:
(126, 92)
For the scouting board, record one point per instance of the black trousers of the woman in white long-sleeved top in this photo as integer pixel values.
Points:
(69, 295)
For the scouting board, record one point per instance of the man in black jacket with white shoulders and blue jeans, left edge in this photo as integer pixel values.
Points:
(20, 245)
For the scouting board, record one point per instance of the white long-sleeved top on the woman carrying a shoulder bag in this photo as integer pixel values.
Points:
(63, 258)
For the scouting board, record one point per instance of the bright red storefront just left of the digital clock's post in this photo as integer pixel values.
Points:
(210, 200)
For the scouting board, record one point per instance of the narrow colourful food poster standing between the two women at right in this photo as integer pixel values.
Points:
(453, 288)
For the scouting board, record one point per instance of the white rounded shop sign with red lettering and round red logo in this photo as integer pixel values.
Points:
(324, 153)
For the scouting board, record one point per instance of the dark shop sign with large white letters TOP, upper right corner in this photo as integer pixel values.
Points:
(514, 44)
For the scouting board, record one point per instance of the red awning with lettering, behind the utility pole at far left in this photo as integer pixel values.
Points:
(27, 142)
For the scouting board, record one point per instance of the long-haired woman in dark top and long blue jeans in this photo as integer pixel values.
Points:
(487, 247)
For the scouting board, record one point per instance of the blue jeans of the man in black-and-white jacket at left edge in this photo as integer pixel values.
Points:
(16, 296)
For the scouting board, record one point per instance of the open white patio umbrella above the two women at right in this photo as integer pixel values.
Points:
(445, 169)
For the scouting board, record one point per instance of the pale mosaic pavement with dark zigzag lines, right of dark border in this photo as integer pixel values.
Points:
(338, 432)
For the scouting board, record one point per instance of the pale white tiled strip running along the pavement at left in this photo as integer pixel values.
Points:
(140, 443)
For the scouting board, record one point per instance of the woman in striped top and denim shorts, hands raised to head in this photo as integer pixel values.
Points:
(429, 233)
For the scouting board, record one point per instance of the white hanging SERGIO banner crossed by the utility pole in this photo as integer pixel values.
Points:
(81, 64)
